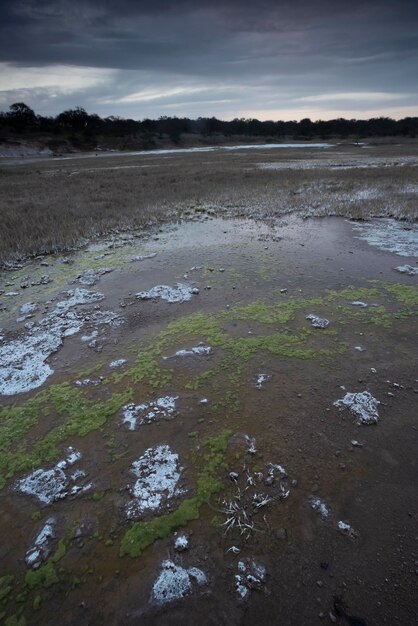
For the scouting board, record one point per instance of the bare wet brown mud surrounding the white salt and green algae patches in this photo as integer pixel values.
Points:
(308, 561)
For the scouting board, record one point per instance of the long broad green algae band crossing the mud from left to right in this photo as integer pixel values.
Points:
(74, 414)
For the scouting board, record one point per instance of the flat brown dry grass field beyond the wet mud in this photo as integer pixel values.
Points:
(50, 206)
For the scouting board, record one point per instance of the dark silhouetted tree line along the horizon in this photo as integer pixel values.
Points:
(21, 119)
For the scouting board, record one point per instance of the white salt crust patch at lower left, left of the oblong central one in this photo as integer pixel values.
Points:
(55, 484)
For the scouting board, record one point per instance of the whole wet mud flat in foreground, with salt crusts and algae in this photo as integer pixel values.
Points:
(215, 424)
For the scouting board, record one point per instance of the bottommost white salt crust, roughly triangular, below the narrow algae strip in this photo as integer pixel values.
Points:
(175, 582)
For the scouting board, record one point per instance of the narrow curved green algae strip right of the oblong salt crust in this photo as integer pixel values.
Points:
(143, 534)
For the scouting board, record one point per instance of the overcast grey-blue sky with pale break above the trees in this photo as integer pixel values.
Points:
(265, 59)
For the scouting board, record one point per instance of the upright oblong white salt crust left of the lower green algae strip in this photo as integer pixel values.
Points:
(158, 472)
